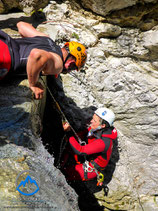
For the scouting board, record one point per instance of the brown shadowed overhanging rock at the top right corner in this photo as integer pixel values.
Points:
(135, 13)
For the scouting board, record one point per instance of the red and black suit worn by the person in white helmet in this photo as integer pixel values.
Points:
(98, 150)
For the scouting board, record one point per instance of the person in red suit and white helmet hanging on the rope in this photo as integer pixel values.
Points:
(98, 148)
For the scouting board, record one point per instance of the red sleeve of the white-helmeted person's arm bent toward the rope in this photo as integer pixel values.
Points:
(95, 147)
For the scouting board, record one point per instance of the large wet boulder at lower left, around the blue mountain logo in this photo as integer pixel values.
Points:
(21, 150)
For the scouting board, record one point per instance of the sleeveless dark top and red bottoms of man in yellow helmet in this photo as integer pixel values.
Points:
(20, 49)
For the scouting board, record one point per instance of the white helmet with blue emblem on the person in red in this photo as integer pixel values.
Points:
(106, 114)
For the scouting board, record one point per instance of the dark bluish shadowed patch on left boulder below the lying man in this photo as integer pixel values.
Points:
(15, 124)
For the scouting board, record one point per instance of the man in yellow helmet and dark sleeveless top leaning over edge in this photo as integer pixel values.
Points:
(37, 53)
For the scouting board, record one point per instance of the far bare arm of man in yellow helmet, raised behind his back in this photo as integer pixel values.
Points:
(27, 30)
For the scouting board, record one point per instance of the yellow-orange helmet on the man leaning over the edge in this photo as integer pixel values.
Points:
(78, 51)
